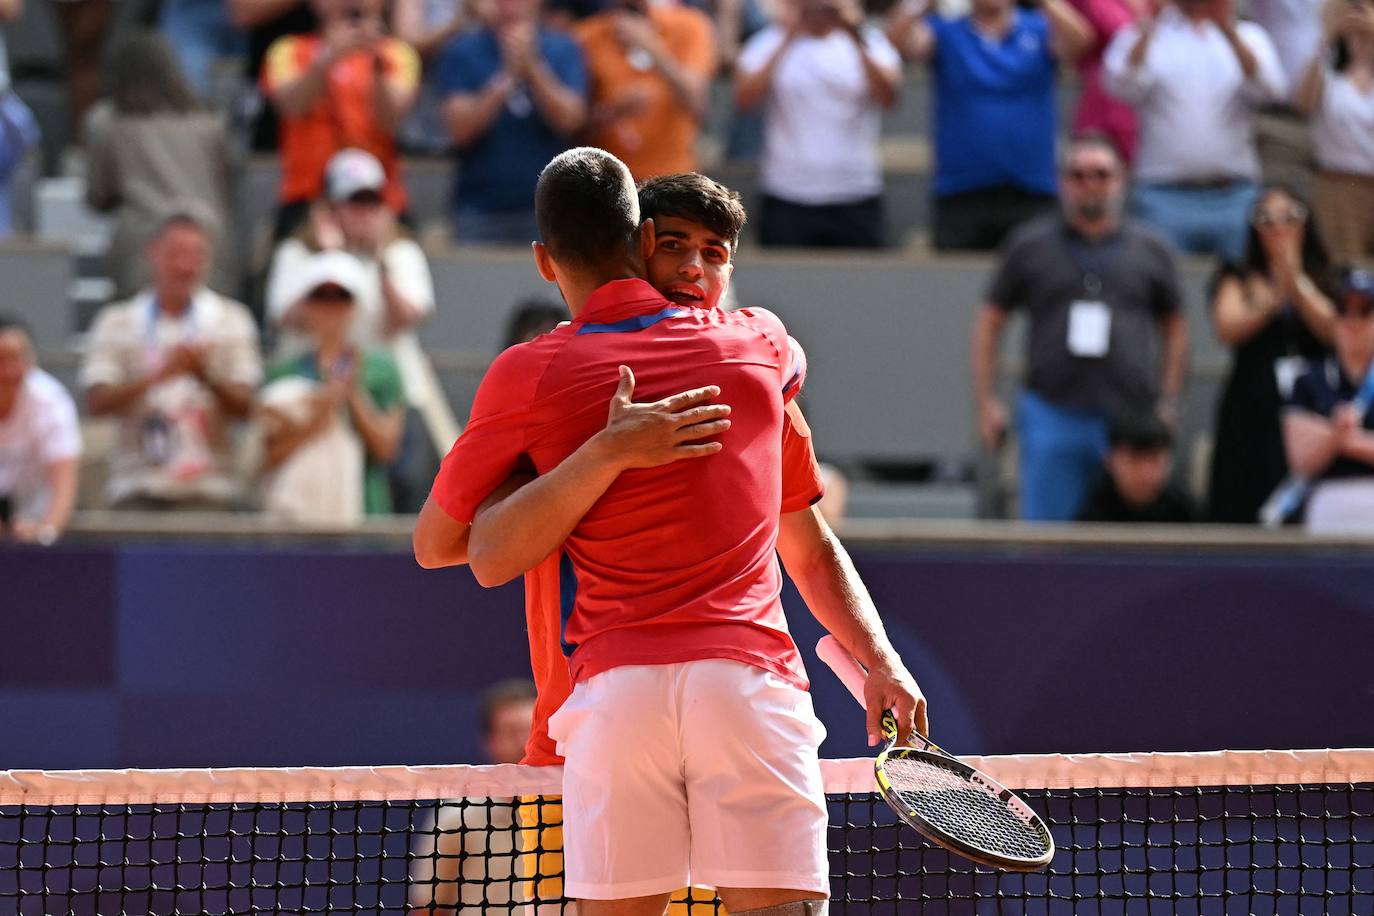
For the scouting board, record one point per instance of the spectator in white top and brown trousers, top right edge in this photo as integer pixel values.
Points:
(1339, 93)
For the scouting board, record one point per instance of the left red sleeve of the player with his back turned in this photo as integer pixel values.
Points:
(491, 447)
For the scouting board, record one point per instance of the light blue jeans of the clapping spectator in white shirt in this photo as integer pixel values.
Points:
(1200, 220)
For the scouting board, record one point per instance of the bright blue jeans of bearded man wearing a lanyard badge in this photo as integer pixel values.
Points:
(1061, 458)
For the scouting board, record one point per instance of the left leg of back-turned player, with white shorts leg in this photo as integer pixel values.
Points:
(626, 836)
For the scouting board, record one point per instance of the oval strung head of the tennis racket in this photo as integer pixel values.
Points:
(969, 814)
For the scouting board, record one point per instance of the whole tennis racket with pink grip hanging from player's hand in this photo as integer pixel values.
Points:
(943, 799)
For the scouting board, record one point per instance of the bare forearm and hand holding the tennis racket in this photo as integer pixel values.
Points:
(829, 583)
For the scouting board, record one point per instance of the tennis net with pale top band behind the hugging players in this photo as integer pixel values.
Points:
(1257, 833)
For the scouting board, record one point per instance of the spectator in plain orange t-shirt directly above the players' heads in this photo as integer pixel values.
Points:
(651, 68)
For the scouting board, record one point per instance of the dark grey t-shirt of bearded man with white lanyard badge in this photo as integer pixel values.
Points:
(1048, 267)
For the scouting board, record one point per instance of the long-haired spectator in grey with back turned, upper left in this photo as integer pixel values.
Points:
(152, 142)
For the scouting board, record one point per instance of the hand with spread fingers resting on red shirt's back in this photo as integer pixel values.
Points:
(656, 433)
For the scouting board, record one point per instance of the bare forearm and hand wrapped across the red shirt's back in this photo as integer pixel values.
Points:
(516, 531)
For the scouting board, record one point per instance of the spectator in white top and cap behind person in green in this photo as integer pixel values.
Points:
(395, 297)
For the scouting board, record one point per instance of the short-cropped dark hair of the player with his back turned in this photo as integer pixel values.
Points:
(587, 208)
